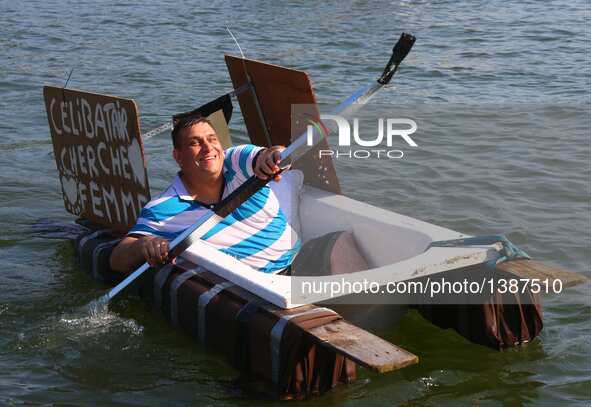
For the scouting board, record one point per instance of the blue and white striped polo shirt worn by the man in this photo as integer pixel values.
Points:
(256, 233)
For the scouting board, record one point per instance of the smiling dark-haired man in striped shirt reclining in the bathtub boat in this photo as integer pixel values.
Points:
(257, 233)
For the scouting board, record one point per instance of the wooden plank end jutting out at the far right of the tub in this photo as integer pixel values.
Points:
(532, 269)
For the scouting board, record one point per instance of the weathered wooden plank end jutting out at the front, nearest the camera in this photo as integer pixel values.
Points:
(364, 348)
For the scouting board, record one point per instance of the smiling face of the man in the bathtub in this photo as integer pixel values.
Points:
(200, 153)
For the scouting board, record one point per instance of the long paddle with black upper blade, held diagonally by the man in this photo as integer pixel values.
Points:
(253, 184)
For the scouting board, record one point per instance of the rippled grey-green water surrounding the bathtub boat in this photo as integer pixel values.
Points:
(500, 92)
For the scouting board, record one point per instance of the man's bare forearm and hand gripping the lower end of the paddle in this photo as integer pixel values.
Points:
(131, 252)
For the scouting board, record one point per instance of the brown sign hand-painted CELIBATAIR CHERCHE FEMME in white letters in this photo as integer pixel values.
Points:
(99, 156)
